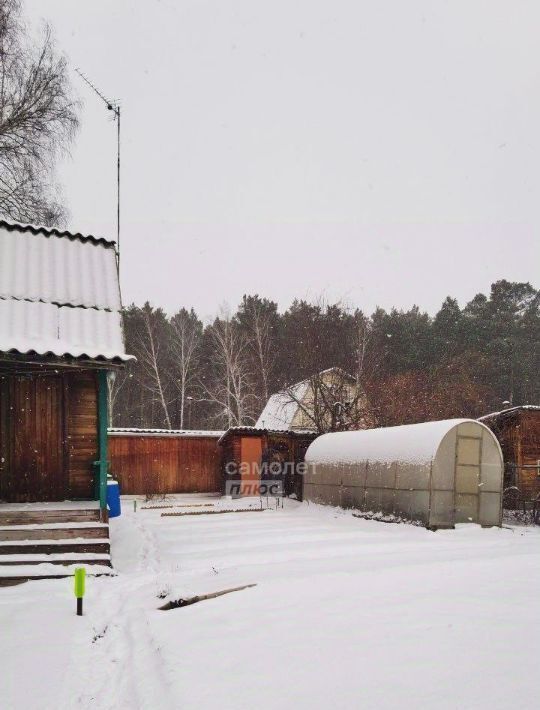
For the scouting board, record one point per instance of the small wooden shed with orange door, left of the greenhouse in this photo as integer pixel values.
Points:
(247, 449)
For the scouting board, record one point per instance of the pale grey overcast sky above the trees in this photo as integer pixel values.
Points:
(379, 152)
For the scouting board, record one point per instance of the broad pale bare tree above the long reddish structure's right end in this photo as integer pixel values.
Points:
(231, 389)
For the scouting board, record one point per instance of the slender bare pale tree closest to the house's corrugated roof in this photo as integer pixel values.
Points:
(149, 345)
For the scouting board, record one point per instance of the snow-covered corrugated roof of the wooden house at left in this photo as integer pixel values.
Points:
(59, 293)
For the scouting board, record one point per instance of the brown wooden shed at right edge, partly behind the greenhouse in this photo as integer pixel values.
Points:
(518, 432)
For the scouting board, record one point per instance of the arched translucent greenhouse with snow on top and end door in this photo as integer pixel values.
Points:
(437, 473)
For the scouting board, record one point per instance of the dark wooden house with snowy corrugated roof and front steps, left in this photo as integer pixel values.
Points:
(60, 337)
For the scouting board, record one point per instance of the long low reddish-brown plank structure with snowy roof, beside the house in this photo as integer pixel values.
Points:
(162, 461)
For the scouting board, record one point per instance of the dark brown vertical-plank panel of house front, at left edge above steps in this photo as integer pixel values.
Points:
(32, 464)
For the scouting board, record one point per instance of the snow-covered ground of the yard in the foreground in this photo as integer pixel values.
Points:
(347, 613)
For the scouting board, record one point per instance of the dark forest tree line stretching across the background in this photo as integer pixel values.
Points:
(414, 367)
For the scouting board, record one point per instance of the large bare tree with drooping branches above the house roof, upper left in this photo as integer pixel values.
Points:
(38, 118)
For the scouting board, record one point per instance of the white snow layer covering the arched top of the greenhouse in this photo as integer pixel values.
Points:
(411, 443)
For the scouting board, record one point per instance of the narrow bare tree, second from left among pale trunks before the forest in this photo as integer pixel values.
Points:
(185, 342)
